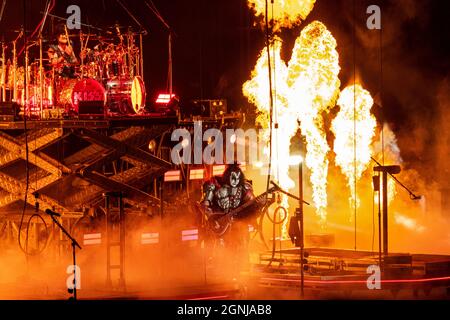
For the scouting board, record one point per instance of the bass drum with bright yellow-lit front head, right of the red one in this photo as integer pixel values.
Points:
(126, 96)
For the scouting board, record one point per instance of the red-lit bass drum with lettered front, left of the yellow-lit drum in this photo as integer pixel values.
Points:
(74, 91)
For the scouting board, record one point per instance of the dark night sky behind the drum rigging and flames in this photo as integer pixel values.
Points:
(217, 43)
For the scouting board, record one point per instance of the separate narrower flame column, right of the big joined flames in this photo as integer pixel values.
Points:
(354, 123)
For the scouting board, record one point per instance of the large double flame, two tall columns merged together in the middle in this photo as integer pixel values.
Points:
(306, 87)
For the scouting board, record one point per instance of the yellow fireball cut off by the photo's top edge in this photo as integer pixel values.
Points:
(285, 13)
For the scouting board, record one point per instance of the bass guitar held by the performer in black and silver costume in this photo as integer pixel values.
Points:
(219, 223)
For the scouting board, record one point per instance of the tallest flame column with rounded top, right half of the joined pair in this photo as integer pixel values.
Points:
(313, 79)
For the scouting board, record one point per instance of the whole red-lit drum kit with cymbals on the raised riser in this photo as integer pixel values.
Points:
(109, 72)
